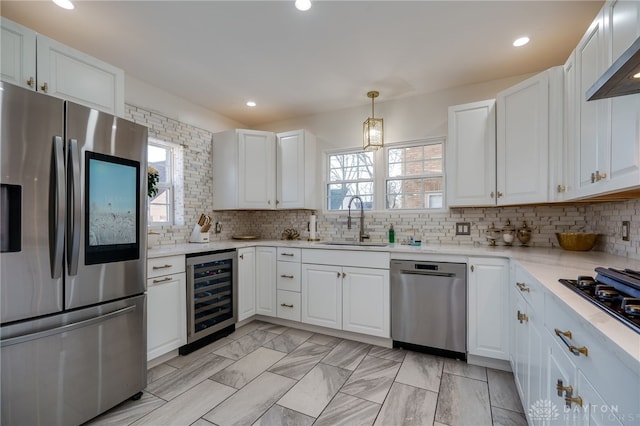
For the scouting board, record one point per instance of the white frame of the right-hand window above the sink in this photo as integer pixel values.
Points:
(419, 142)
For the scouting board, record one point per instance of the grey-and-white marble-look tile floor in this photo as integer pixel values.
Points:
(270, 375)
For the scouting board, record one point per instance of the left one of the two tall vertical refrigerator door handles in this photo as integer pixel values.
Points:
(56, 220)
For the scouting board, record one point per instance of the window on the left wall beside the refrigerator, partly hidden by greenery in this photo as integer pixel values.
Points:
(161, 207)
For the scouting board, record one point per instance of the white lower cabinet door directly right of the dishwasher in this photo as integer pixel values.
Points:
(488, 307)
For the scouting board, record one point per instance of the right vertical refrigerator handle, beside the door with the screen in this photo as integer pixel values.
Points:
(73, 191)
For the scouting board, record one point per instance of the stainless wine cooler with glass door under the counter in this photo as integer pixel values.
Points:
(212, 305)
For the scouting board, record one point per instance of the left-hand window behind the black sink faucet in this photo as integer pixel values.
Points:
(349, 174)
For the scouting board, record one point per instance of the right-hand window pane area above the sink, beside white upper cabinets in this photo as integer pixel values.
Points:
(415, 176)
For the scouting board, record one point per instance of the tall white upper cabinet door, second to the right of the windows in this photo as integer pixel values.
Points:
(523, 142)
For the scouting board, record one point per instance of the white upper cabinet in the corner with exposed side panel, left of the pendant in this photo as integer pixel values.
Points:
(243, 170)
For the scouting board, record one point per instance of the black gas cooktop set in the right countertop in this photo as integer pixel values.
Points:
(614, 300)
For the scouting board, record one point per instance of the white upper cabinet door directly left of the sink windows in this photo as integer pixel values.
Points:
(290, 166)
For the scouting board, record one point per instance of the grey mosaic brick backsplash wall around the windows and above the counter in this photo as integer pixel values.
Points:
(432, 227)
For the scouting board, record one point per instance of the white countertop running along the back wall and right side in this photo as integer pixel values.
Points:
(547, 265)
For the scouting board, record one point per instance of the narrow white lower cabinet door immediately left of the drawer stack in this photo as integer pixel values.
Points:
(266, 281)
